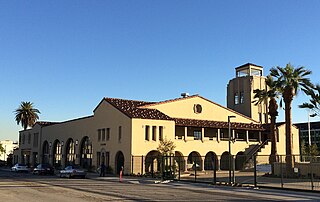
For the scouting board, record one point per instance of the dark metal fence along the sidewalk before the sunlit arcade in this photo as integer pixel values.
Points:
(304, 173)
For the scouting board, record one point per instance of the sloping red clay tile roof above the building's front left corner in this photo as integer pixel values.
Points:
(132, 109)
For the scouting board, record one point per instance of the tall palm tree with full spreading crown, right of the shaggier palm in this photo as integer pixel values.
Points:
(290, 80)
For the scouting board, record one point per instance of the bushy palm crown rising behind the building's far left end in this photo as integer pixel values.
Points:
(26, 114)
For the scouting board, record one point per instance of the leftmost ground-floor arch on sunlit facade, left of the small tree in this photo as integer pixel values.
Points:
(153, 163)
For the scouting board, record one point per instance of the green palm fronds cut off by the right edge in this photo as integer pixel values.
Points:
(314, 102)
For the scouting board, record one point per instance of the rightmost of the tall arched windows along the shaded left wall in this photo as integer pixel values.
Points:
(86, 153)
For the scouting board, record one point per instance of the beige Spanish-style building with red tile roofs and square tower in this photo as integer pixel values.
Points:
(121, 129)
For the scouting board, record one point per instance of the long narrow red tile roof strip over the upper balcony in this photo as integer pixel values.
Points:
(217, 124)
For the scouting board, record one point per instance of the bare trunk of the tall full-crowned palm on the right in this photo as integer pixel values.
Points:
(288, 97)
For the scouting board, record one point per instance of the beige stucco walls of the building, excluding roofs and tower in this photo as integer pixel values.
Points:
(133, 141)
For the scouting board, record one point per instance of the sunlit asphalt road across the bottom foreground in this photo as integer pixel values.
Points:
(27, 187)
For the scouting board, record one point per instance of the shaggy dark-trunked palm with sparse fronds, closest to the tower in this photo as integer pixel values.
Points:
(271, 93)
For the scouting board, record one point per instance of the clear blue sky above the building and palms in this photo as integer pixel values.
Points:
(65, 56)
